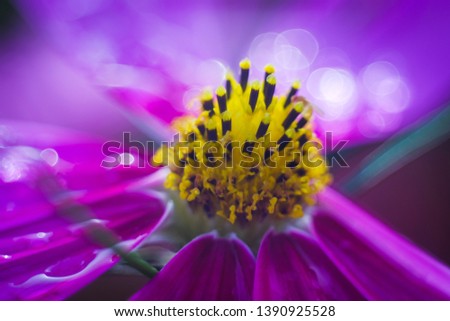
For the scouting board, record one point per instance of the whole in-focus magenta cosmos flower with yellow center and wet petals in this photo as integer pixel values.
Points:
(341, 255)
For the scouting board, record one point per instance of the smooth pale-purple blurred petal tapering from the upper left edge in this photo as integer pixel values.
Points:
(40, 86)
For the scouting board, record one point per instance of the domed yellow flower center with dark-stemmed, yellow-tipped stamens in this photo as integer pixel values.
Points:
(249, 155)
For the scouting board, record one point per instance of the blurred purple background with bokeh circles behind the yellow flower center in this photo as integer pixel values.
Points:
(377, 71)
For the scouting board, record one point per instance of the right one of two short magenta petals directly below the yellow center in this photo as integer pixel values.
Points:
(291, 266)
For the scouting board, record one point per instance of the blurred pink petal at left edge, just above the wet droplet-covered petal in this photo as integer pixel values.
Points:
(75, 158)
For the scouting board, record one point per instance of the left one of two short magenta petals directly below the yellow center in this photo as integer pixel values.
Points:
(208, 268)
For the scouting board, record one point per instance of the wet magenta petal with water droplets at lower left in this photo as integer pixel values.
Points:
(50, 258)
